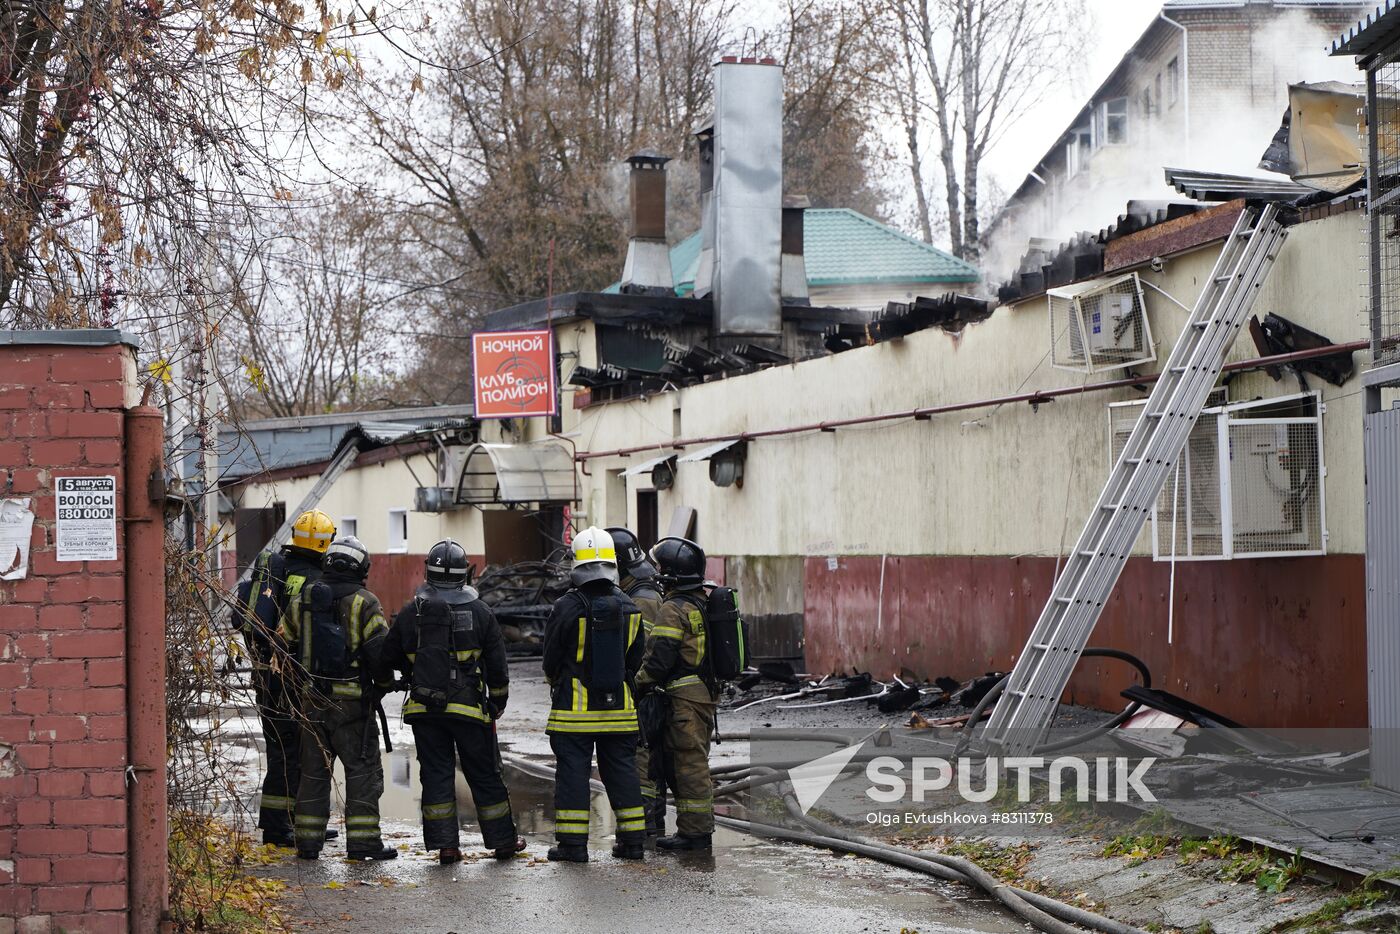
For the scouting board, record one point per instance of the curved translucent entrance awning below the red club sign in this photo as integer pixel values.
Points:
(510, 474)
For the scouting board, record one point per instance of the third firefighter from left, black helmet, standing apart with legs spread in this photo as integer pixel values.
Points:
(449, 646)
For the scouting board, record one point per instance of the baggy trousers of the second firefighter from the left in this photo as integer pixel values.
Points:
(334, 730)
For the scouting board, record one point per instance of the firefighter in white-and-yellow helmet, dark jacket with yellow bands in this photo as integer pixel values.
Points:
(593, 648)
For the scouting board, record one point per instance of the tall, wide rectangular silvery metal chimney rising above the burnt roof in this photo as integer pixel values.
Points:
(747, 202)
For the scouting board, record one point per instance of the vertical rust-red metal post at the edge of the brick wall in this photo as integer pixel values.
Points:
(148, 823)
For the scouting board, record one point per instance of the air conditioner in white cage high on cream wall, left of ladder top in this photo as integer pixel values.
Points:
(1101, 326)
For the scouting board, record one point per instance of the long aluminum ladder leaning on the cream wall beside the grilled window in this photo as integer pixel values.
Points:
(1044, 670)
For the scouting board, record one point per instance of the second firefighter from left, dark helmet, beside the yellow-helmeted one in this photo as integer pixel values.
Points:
(337, 629)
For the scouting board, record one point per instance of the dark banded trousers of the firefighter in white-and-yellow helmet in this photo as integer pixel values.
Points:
(617, 767)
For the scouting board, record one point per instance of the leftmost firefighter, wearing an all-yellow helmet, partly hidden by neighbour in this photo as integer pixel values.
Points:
(264, 597)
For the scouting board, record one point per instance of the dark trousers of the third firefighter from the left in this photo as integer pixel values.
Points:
(443, 743)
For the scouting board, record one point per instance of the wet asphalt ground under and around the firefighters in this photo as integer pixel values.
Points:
(747, 884)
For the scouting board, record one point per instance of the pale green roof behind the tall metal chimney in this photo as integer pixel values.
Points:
(846, 249)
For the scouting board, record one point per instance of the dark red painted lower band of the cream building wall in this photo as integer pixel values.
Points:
(1266, 642)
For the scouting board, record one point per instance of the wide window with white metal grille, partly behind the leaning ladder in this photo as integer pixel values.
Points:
(1249, 482)
